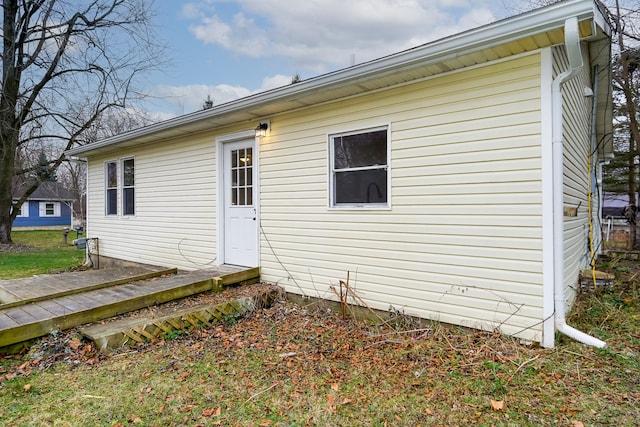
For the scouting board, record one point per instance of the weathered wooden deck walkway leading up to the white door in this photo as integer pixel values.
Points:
(39, 316)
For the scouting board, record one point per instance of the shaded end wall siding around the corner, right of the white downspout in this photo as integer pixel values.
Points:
(577, 140)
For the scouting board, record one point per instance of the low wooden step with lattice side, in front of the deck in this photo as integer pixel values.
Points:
(129, 331)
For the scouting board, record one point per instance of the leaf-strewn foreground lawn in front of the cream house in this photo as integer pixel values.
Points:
(293, 365)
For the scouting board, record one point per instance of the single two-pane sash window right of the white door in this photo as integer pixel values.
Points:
(360, 168)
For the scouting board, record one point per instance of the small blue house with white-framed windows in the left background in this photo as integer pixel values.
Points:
(49, 207)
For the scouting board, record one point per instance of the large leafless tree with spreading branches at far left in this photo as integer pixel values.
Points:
(64, 64)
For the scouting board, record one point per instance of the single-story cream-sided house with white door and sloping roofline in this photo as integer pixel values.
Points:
(456, 181)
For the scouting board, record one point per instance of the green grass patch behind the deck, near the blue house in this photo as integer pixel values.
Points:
(49, 254)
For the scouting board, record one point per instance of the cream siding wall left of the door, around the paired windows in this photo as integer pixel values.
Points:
(175, 205)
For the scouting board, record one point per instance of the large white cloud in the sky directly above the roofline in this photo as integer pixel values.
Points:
(322, 35)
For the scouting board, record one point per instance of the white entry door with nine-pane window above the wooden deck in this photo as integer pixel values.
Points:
(240, 213)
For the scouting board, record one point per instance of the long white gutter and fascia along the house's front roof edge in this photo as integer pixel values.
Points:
(484, 37)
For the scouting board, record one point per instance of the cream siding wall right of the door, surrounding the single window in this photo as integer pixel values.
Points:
(462, 242)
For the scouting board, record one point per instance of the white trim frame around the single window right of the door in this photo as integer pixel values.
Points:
(331, 192)
